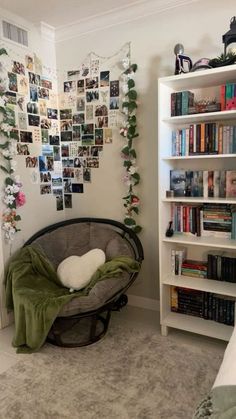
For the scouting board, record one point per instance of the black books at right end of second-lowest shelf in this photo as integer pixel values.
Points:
(221, 266)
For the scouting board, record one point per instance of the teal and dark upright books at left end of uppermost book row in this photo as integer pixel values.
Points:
(181, 102)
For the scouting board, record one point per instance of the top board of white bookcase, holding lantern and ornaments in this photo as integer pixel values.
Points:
(201, 78)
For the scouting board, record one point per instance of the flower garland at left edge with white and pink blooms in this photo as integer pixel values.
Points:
(13, 196)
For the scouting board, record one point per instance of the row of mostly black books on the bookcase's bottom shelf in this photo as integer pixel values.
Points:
(207, 305)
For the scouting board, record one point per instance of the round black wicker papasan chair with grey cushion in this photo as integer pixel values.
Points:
(85, 320)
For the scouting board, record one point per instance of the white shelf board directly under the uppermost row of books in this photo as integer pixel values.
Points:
(209, 116)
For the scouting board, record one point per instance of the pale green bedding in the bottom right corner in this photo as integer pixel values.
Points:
(220, 403)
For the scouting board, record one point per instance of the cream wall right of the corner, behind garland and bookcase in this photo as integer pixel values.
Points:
(199, 27)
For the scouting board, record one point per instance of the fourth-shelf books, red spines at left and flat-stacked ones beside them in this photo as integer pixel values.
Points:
(207, 220)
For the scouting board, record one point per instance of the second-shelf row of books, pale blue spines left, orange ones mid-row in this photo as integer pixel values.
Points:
(204, 138)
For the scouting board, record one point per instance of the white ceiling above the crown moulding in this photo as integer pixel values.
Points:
(58, 13)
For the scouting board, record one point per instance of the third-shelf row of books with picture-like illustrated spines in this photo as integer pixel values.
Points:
(203, 183)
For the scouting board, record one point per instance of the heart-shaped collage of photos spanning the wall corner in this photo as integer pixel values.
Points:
(62, 136)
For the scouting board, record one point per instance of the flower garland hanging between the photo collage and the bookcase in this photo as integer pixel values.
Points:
(128, 153)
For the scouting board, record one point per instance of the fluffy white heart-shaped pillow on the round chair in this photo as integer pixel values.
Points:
(75, 272)
